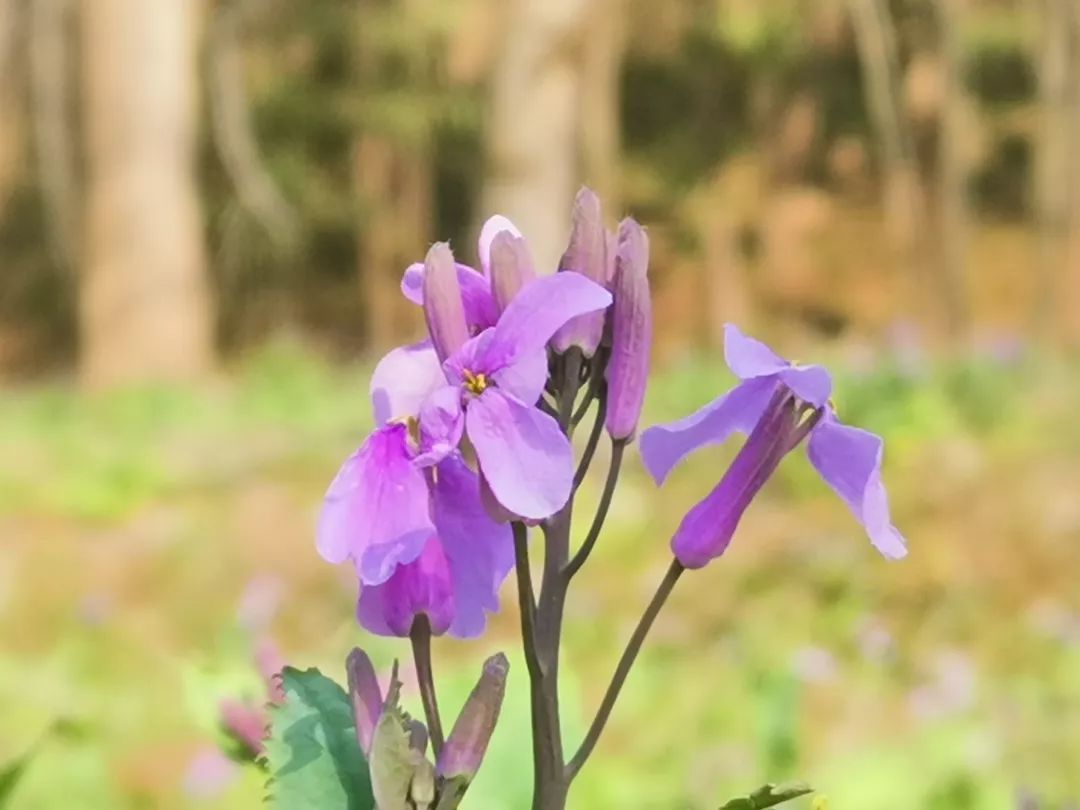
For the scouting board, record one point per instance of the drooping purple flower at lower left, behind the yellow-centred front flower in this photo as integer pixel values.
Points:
(417, 534)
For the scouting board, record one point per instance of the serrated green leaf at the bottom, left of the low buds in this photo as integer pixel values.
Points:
(314, 757)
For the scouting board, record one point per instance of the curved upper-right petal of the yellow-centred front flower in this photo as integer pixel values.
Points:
(537, 313)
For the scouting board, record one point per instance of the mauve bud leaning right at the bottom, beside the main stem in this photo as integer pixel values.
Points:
(467, 745)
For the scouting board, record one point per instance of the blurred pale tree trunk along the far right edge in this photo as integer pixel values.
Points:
(1057, 71)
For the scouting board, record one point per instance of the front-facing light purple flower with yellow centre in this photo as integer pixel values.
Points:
(494, 383)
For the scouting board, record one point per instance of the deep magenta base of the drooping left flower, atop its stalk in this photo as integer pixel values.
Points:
(418, 588)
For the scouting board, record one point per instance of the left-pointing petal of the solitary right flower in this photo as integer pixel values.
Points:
(666, 445)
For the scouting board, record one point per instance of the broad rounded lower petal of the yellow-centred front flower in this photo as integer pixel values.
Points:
(523, 455)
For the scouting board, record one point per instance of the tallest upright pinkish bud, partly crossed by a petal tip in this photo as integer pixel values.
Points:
(587, 254)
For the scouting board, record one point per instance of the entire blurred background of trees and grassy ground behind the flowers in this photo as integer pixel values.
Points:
(206, 209)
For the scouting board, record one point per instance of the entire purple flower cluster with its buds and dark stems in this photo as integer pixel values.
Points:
(474, 447)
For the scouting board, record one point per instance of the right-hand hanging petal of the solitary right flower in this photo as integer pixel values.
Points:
(849, 460)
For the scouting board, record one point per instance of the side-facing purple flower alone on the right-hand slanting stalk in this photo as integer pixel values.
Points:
(778, 404)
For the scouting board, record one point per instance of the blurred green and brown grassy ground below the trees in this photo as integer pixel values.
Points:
(148, 536)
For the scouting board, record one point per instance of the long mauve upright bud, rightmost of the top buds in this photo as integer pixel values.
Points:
(628, 370)
